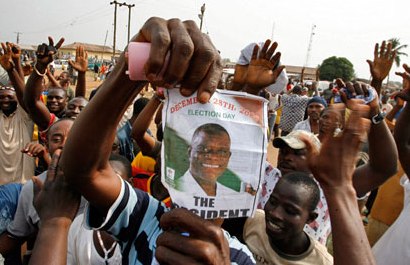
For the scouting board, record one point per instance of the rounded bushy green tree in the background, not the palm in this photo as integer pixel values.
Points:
(336, 67)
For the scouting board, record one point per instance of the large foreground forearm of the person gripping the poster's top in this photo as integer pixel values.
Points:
(80, 158)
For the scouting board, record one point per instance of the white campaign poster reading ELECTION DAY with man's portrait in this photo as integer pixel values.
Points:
(213, 154)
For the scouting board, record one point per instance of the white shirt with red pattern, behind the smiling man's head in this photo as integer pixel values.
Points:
(320, 228)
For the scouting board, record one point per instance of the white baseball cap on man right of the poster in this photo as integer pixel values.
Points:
(293, 140)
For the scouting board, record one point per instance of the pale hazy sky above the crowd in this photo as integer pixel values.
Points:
(348, 28)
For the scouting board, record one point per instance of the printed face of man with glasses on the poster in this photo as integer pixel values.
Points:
(209, 156)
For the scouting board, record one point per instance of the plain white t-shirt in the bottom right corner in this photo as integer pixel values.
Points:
(394, 246)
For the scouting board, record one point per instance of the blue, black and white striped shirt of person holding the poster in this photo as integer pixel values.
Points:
(133, 220)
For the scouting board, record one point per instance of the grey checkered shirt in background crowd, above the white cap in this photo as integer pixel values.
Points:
(293, 111)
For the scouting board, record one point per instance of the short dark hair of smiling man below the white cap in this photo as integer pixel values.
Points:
(308, 183)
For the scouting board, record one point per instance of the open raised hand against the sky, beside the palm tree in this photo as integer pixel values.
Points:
(382, 62)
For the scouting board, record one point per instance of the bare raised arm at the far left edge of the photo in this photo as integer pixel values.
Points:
(8, 62)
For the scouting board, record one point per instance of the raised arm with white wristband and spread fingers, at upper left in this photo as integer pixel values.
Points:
(36, 108)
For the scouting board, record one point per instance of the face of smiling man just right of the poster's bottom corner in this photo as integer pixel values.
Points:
(287, 211)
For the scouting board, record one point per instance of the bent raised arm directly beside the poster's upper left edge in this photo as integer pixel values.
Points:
(139, 128)
